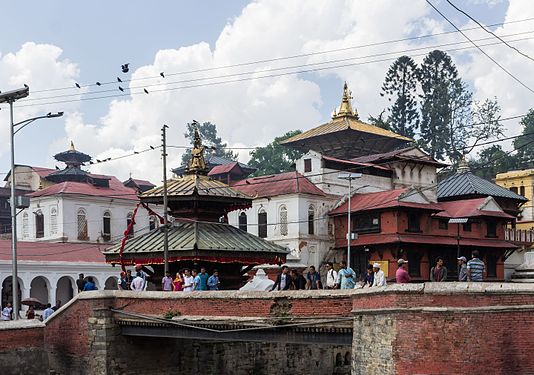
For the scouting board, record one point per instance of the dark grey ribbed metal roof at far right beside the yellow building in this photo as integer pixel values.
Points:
(467, 184)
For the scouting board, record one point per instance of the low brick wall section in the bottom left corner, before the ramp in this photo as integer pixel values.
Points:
(22, 348)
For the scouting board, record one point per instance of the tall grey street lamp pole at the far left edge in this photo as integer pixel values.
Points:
(14, 273)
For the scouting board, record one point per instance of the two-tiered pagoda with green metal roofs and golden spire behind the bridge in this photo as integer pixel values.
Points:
(199, 234)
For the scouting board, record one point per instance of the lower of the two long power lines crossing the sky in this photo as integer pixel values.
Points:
(191, 80)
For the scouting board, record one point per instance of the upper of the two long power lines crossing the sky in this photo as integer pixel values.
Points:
(287, 57)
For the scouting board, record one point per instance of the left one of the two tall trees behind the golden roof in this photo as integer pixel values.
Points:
(400, 85)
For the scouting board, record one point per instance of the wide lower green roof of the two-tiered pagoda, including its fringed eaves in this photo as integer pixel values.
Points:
(189, 240)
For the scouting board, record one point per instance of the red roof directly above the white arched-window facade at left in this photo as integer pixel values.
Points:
(115, 190)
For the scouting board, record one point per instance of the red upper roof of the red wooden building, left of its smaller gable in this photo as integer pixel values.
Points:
(381, 200)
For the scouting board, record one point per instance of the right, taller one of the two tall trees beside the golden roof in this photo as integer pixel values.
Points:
(439, 81)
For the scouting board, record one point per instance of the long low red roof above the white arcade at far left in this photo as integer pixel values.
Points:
(54, 252)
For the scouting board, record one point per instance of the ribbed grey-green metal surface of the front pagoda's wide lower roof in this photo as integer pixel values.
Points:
(197, 236)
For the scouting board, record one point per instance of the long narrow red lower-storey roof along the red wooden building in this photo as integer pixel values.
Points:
(378, 239)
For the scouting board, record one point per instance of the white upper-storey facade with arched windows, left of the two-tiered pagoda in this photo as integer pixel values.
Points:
(62, 217)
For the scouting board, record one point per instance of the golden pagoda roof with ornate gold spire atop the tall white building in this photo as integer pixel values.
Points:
(346, 136)
